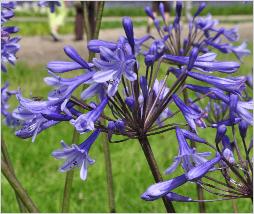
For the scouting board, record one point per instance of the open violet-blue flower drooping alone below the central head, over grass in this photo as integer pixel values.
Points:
(77, 155)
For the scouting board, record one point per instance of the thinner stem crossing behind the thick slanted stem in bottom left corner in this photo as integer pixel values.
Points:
(7, 160)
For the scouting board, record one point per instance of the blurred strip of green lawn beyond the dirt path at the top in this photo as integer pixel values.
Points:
(39, 26)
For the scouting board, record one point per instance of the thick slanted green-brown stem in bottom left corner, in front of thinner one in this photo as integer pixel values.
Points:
(16, 185)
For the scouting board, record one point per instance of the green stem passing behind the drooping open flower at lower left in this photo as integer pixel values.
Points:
(69, 180)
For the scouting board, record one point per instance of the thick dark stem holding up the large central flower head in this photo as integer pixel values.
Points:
(154, 169)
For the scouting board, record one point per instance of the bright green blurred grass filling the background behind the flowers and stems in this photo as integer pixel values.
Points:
(37, 169)
